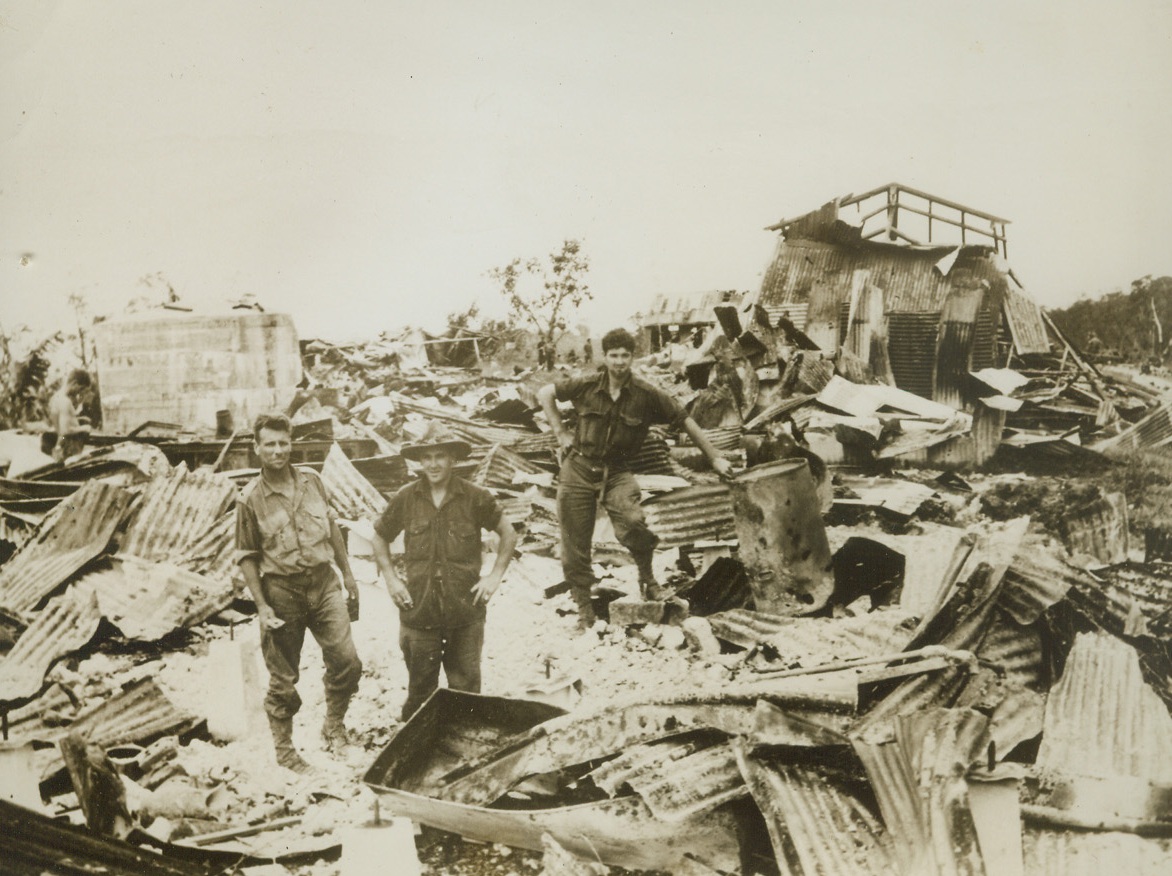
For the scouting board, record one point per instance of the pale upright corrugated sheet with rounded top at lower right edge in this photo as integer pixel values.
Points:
(1102, 719)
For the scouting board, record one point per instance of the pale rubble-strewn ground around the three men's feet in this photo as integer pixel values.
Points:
(532, 651)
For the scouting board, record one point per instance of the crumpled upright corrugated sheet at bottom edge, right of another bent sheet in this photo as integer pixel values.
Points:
(922, 790)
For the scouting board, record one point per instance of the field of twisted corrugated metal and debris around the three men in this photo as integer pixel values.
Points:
(867, 657)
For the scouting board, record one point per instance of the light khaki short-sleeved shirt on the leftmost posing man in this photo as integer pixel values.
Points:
(287, 533)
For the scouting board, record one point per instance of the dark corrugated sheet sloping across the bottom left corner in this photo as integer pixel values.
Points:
(35, 844)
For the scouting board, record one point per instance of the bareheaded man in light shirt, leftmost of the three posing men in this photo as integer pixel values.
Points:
(287, 539)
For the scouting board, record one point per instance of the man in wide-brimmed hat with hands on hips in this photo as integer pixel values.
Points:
(442, 603)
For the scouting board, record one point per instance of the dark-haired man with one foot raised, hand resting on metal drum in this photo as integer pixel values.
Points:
(615, 412)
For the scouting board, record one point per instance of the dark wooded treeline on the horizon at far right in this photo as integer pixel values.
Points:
(1134, 327)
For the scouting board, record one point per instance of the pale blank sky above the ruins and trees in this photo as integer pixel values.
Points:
(363, 165)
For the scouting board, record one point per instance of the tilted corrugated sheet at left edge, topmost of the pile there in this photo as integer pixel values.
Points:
(74, 533)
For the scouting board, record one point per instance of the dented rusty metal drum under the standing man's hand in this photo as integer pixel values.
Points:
(782, 538)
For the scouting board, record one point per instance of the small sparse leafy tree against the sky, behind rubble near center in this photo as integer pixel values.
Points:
(546, 296)
